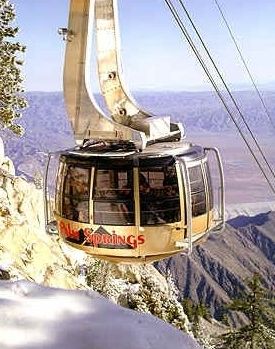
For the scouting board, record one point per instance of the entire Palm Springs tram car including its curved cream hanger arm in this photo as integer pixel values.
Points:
(132, 190)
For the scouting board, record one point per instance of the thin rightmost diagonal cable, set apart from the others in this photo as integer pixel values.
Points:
(244, 63)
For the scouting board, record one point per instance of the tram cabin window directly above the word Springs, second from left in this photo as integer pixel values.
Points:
(113, 197)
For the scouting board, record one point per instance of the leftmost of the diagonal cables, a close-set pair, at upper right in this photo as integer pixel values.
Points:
(191, 43)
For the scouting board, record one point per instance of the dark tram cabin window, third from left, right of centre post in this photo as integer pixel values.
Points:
(159, 195)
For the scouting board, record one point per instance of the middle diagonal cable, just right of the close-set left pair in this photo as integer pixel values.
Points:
(227, 88)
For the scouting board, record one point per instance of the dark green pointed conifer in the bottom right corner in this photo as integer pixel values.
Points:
(258, 333)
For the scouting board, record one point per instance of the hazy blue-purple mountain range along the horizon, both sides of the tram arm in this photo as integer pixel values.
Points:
(46, 120)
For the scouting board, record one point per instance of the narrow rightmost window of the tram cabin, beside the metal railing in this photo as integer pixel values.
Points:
(198, 196)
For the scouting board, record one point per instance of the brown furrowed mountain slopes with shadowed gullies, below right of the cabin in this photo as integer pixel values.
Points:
(217, 269)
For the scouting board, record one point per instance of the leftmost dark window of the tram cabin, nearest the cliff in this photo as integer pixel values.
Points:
(76, 187)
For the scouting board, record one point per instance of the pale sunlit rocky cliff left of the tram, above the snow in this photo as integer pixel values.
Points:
(25, 250)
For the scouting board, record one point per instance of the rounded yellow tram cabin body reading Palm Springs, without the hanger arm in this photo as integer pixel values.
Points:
(129, 206)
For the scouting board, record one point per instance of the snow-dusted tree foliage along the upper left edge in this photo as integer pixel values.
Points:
(11, 100)
